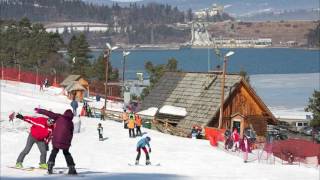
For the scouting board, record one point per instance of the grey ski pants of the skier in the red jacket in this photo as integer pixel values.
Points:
(42, 148)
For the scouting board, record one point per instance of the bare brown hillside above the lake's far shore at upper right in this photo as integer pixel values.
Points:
(280, 32)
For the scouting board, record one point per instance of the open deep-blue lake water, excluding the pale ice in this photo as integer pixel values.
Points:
(253, 61)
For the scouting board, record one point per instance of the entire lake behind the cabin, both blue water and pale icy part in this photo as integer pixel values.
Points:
(283, 78)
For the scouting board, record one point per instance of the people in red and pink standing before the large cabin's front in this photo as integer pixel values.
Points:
(233, 142)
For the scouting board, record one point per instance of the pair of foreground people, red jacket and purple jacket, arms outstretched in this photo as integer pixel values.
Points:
(59, 128)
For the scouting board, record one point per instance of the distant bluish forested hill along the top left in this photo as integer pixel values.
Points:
(76, 10)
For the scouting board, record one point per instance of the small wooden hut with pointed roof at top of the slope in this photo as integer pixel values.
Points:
(75, 86)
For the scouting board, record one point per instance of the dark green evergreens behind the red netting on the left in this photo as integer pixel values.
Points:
(29, 46)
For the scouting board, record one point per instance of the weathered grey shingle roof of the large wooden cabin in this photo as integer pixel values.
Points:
(199, 93)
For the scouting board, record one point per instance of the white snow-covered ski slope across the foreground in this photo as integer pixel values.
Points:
(179, 158)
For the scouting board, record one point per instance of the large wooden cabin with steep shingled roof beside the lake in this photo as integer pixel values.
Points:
(199, 95)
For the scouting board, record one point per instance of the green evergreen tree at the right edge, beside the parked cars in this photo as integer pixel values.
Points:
(314, 108)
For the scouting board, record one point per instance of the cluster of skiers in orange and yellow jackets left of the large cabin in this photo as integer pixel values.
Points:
(132, 121)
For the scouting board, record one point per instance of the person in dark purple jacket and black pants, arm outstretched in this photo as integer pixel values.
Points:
(62, 137)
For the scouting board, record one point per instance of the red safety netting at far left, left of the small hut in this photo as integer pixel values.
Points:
(31, 77)
